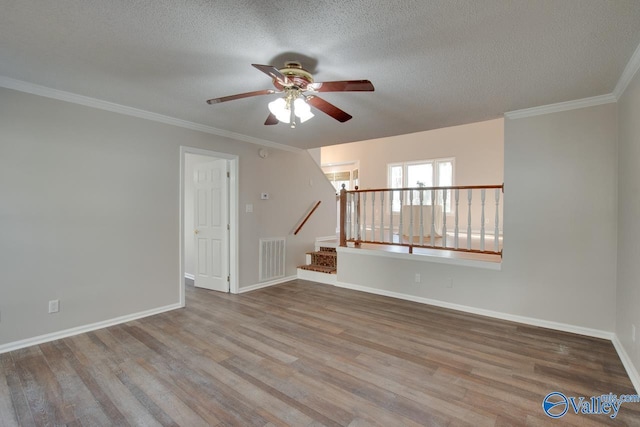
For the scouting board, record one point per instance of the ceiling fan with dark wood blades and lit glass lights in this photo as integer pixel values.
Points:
(299, 90)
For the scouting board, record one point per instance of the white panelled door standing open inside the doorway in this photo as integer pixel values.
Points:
(211, 224)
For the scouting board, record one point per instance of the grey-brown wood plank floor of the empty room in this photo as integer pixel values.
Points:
(305, 354)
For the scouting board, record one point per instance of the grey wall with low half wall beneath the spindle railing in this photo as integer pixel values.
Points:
(559, 260)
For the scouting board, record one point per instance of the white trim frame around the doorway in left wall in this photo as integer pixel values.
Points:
(233, 216)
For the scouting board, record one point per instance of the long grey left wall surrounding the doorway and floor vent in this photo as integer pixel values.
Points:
(89, 212)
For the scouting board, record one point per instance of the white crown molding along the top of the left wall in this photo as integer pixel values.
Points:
(60, 95)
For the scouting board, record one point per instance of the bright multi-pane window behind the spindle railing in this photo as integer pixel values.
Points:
(426, 173)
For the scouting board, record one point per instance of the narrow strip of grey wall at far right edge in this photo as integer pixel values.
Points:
(628, 291)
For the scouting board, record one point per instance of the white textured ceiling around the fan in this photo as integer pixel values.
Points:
(433, 63)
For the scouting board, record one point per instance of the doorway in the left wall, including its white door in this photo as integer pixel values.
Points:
(208, 220)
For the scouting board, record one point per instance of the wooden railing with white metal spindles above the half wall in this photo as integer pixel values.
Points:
(424, 217)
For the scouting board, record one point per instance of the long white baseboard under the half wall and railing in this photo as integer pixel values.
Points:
(596, 333)
